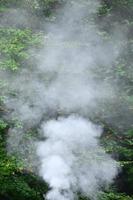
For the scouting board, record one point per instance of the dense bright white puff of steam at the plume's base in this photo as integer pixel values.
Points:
(72, 160)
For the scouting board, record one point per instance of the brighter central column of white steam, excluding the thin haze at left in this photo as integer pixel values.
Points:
(71, 158)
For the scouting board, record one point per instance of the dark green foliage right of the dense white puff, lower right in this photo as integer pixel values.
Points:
(121, 145)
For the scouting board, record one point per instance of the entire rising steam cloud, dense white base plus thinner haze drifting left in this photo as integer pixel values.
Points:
(65, 82)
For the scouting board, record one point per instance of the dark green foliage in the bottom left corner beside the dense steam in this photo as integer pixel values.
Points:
(15, 182)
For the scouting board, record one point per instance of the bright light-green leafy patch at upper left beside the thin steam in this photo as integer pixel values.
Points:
(14, 44)
